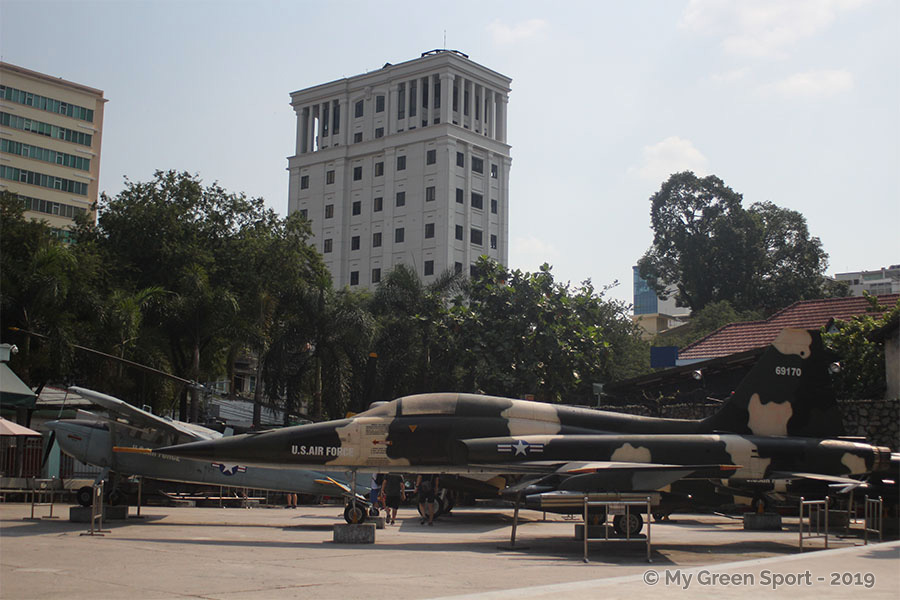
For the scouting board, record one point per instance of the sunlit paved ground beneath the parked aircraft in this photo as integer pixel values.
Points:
(224, 554)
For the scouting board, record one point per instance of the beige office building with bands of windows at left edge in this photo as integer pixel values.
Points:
(50, 133)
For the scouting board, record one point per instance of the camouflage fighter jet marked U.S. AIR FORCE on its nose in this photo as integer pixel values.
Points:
(782, 423)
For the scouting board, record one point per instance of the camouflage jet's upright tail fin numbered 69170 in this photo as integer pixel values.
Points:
(788, 392)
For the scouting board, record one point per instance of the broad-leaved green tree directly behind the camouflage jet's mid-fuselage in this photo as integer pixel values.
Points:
(525, 334)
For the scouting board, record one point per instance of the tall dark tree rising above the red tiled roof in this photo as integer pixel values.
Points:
(712, 249)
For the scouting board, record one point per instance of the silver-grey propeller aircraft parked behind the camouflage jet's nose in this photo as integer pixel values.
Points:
(118, 444)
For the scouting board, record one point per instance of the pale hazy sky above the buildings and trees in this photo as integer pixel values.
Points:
(795, 102)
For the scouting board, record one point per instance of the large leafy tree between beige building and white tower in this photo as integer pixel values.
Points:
(192, 241)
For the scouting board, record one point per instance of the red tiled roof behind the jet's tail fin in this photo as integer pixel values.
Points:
(749, 335)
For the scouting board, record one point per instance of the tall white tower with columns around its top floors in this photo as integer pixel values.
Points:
(408, 164)
